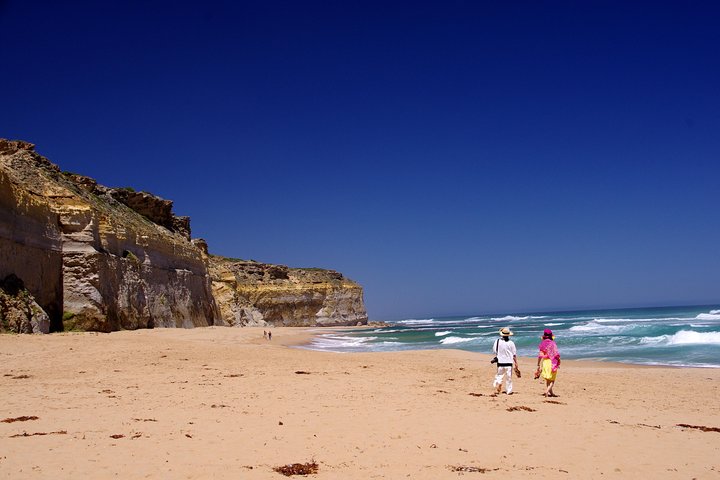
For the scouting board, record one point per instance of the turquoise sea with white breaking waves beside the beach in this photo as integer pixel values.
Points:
(678, 336)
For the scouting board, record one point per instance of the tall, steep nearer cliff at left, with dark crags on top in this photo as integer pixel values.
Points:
(95, 256)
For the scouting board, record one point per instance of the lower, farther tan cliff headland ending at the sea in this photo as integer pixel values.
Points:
(259, 294)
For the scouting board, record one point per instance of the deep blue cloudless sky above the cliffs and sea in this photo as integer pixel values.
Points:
(452, 157)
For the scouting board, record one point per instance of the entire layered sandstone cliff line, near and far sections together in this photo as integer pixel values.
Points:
(103, 259)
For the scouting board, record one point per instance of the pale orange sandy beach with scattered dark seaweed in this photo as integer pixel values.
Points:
(225, 403)
